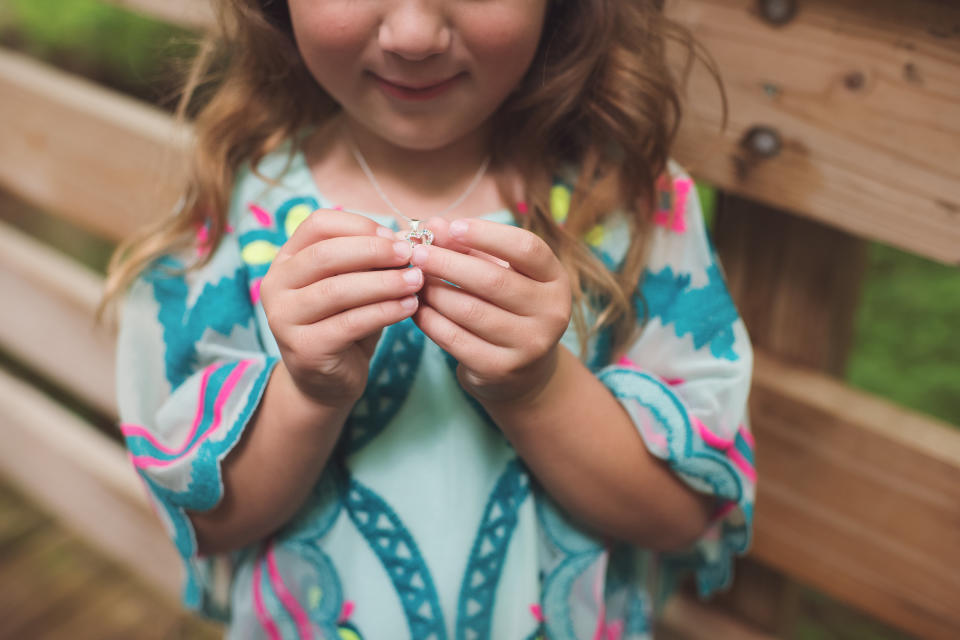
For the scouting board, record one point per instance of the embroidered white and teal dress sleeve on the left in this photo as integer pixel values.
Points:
(190, 372)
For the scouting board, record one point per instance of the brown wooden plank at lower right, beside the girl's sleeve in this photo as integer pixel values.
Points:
(858, 498)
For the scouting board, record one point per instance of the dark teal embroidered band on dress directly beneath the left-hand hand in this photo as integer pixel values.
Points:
(392, 372)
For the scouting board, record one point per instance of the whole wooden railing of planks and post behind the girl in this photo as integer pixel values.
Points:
(859, 106)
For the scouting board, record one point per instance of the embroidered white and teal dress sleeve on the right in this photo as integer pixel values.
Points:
(685, 380)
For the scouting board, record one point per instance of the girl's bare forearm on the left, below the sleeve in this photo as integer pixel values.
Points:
(271, 471)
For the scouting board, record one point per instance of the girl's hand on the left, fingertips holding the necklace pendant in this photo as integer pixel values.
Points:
(331, 290)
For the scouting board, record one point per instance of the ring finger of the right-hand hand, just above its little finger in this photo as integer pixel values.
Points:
(481, 318)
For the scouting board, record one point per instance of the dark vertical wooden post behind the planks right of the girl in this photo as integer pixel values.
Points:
(796, 284)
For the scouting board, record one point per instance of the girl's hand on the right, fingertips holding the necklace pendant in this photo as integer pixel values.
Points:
(498, 300)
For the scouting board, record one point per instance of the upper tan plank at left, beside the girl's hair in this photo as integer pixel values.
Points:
(99, 159)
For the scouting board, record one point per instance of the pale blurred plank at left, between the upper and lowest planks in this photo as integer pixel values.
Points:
(51, 328)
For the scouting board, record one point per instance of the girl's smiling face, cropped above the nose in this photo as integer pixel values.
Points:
(421, 74)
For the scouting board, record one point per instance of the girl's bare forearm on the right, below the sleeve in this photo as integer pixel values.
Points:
(583, 448)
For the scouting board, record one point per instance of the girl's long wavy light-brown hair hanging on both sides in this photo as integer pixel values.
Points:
(600, 96)
